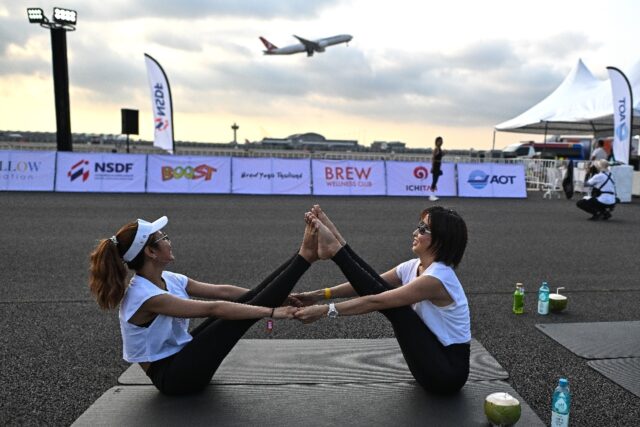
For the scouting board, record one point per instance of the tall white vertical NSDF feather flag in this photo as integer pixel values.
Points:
(161, 104)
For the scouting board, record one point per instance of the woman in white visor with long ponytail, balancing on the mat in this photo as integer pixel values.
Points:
(155, 306)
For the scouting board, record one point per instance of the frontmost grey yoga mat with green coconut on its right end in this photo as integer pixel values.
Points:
(362, 404)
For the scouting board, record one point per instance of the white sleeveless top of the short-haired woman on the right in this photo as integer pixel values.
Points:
(450, 324)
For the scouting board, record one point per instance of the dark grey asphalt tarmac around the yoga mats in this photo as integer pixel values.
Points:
(60, 352)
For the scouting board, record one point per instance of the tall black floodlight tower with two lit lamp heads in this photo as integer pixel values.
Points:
(63, 20)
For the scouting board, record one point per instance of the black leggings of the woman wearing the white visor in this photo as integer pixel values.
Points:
(191, 369)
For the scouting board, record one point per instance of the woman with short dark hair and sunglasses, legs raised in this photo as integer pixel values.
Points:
(422, 298)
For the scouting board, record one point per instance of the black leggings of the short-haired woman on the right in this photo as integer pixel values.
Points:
(438, 369)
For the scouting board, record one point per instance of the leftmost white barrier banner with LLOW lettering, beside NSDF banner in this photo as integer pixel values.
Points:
(27, 170)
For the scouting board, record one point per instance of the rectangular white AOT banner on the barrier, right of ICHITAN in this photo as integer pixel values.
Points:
(491, 180)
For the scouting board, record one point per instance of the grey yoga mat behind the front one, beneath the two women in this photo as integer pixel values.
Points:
(256, 361)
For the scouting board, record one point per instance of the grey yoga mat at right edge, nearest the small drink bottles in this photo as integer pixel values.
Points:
(597, 340)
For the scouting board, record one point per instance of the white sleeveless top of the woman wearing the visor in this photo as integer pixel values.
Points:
(166, 335)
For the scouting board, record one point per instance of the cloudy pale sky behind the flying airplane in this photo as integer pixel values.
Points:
(414, 69)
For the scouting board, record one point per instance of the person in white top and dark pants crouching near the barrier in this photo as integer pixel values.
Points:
(603, 193)
